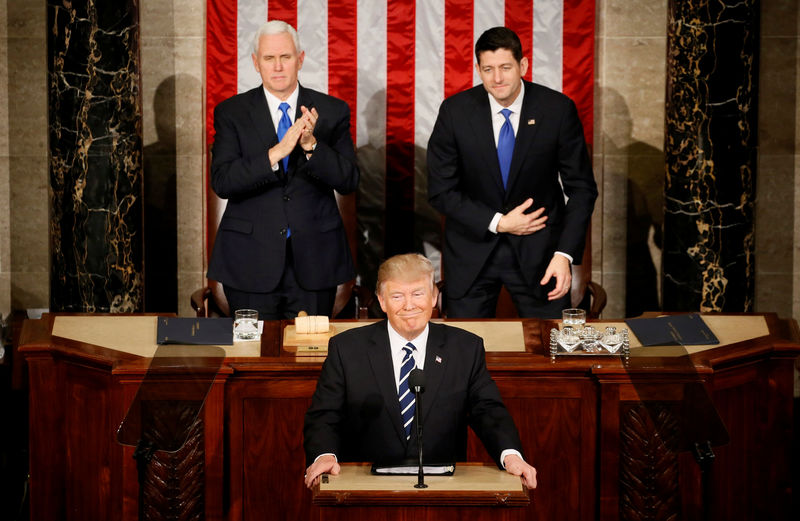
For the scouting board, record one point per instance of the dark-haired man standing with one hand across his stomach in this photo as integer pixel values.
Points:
(495, 157)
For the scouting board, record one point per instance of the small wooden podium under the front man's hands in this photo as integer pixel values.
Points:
(475, 491)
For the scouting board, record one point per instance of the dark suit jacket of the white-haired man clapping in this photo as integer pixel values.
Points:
(250, 247)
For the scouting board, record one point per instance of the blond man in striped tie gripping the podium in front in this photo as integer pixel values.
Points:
(362, 409)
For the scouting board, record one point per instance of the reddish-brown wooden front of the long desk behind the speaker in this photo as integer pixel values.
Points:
(582, 422)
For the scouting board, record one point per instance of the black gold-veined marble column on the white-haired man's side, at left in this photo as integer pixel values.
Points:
(95, 156)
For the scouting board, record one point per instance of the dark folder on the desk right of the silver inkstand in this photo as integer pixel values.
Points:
(684, 330)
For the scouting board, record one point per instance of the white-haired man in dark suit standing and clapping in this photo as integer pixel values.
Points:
(279, 153)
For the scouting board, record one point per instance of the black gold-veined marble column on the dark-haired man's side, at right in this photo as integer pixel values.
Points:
(710, 150)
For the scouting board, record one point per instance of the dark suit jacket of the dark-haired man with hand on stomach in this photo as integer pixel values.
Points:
(464, 183)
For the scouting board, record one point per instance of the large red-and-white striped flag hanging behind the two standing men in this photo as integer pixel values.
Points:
(394, 62)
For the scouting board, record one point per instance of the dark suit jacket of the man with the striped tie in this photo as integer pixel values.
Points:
(355, 412)
